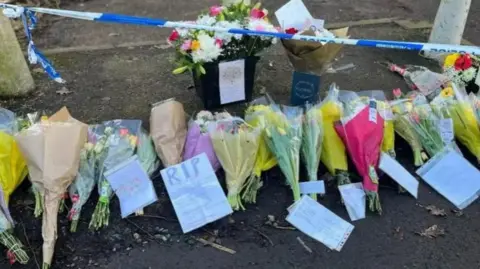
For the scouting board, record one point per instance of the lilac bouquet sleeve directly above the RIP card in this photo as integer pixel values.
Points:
(198, 142)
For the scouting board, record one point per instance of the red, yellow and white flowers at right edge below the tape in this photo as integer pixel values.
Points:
(462, 70)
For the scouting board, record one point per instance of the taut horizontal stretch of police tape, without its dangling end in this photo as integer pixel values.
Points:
(126, 19)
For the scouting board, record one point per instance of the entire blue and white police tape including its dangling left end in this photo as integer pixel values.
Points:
(28, 16)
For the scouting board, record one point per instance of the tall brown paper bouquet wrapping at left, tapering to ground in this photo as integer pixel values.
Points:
(52, 151)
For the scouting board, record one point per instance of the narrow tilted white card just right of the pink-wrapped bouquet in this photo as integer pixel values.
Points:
(398, 173)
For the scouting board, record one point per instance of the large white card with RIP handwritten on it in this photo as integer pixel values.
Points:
(195, 192)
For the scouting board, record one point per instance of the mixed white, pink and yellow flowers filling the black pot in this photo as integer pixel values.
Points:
(196, 47)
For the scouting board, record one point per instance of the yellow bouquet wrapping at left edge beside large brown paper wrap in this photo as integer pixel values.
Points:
(13, 168)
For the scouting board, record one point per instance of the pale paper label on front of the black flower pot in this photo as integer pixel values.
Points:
(232, 81)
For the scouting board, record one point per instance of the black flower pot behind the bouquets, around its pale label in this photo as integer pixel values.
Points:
(208, 88)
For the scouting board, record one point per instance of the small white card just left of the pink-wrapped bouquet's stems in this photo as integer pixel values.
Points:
(355, 200)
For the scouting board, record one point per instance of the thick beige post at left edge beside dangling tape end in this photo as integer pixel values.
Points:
(15, 76)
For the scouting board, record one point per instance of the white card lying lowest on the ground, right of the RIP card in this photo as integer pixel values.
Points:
(321, 224)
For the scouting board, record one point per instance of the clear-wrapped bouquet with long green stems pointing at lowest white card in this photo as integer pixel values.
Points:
(284, 139)
